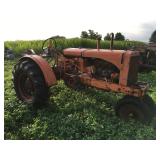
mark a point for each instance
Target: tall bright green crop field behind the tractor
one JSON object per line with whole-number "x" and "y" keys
{"x": 20, "y": 46}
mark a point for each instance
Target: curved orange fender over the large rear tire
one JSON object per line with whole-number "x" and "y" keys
{"x": 47, "y": 71}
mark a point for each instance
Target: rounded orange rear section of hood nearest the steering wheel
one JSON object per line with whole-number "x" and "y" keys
{"x": 73, "y": 52}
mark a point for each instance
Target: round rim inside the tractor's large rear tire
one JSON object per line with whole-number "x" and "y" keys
{"x": 25, "y": 87}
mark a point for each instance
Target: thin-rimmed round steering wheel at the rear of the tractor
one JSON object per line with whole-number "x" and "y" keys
{"x": 49, "y": 46}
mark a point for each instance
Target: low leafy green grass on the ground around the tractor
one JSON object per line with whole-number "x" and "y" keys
{"x": 71, "y": 114}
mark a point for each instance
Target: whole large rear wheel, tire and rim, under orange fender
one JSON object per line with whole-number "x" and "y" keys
{"x": 29, "y": 83}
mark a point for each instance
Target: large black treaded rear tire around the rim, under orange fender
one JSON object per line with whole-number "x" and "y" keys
{"x": 32, "y": 70}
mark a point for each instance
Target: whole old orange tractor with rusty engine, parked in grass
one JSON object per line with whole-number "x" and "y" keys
{"x": 104, "y": 69}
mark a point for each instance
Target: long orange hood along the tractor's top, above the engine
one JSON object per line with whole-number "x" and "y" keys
{"x": 117, "y": 57}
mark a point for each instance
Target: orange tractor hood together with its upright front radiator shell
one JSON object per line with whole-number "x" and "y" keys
{"x": 125, "y": 61}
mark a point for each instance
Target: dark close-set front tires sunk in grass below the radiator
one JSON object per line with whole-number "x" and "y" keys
{"x": 135, "y": 105}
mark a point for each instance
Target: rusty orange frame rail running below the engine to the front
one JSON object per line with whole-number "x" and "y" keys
{"x": 137, "y": 90}
